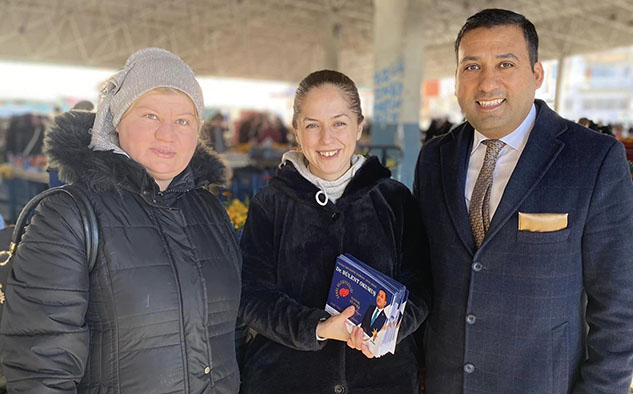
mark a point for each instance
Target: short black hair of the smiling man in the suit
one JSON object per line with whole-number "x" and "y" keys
{"x": 493, "y": 17}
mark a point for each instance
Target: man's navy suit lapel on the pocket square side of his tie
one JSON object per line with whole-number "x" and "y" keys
{"x": 539, "y": 153}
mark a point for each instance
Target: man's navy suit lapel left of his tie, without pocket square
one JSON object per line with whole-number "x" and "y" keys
{"x": 455, "y": 154}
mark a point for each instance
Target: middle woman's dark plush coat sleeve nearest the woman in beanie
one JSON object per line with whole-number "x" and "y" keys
{"x": 265, "y": 307}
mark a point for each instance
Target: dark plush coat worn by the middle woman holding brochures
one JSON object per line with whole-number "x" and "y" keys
{"x": 289, "y": 246}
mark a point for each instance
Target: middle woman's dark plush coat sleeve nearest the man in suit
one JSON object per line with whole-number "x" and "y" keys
{"x": 414, "y": 269}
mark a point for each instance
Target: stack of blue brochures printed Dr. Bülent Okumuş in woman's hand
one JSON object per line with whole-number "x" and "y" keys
{"x": 379, "y": 301}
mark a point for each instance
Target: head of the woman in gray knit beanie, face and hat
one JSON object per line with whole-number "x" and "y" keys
{"x": 160, "y": 78}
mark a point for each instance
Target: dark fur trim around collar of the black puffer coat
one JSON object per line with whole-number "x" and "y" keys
{"x": 66, "y": 146}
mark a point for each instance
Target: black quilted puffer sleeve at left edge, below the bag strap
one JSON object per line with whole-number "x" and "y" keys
{"x": 44, "y": 336}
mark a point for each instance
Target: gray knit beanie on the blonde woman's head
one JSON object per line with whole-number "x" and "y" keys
{"x": 145, "y": 70}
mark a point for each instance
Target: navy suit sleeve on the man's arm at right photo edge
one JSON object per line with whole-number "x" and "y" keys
{"x": 607, "y": 254}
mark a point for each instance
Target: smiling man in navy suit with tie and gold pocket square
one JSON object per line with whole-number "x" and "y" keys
{"x": 529, "y": 223}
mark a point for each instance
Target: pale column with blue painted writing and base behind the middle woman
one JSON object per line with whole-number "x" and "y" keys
{"x": 398, "y": 68}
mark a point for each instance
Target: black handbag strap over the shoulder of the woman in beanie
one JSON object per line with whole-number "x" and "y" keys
{"x": 88, "y": 220}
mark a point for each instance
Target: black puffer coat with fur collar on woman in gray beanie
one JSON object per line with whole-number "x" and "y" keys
{"x": 157, "y": 313}
